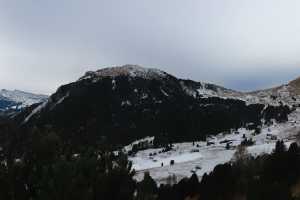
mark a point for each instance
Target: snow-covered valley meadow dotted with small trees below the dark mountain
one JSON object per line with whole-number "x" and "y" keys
{"x": 201, "y": 158}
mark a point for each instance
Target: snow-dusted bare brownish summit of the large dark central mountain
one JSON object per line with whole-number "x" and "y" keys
{"x": 126, "y": 70}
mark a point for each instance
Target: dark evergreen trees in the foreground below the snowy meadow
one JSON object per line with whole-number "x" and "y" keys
{"x": 39, "y": 165}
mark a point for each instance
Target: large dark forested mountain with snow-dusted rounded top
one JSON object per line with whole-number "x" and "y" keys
{"x": 121, "y": 104}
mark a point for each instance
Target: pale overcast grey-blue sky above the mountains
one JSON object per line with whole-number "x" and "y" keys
{"x": 241, "y": 44}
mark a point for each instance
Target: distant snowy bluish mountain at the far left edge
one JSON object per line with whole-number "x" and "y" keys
{"x": 12, "y": 101}
